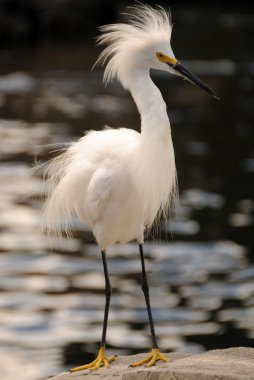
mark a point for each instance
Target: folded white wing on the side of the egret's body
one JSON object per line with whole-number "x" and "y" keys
{"x": 99, "y": 190}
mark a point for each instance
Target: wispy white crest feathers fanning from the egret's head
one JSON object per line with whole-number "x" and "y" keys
{"x": 144, "y": 24}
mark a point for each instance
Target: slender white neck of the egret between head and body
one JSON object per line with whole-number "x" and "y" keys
{"x": 152, "y": 108}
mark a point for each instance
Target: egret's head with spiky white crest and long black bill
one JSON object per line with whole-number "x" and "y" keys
{"x": 141, "y": 44}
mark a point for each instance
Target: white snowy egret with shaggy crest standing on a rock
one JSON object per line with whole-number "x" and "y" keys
{"x": 118, "y": 180}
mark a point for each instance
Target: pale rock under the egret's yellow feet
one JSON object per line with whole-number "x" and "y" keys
{"x": 228, "y": 364}
